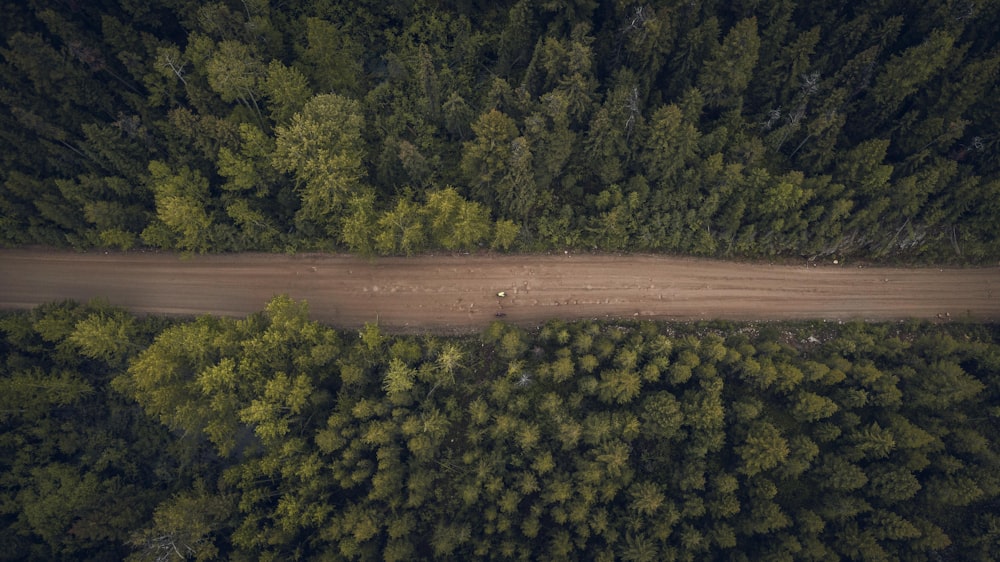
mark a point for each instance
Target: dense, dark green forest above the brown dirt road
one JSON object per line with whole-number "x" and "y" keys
{"x": 711, "y": 128}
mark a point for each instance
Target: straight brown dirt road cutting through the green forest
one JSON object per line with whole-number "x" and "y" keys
{"x": 452, "y": 294}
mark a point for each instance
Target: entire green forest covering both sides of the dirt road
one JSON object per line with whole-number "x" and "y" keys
{"x": 742, "y": 129}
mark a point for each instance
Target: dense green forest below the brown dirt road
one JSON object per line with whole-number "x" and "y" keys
{"x": 273, "y": 437}
